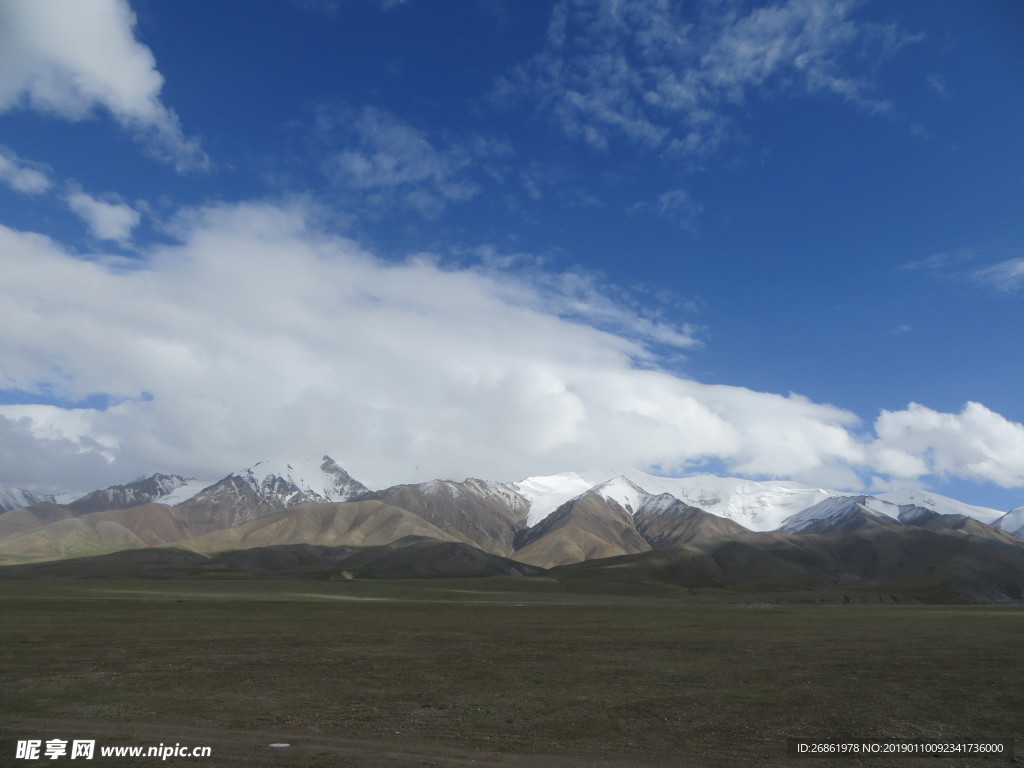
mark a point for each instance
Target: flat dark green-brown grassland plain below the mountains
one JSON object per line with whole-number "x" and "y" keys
{"x": 499, "y": 672}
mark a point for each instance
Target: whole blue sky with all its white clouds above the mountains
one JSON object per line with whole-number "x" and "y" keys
{"x": 500, "y": 239}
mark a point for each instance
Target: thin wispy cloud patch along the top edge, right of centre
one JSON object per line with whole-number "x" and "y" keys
{"x": 664, "y": 76}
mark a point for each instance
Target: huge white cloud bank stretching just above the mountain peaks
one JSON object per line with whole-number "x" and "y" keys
{"x": 258, "y": 335}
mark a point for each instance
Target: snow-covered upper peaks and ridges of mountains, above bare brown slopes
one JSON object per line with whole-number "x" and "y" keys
{"x": 757, "y": 505}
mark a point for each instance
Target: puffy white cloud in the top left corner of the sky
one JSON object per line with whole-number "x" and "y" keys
{"x": 67, "y": 58}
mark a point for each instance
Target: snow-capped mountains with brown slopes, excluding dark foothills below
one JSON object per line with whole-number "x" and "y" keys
{"x": 546, "y": 521}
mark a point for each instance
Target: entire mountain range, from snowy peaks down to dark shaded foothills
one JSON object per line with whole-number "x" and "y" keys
{"x": 694, "y": 532}
